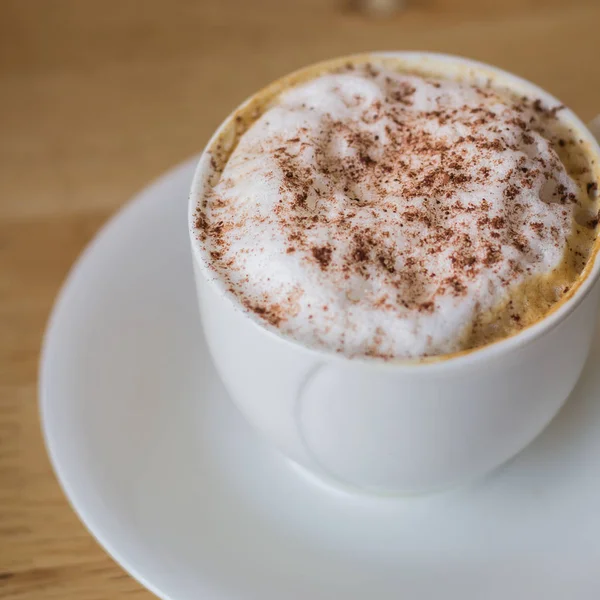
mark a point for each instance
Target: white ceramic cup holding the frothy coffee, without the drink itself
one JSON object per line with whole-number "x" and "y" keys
{"x": 402, "y": 426}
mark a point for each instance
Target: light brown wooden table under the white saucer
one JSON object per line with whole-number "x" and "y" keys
{"x": 97, "y": 97}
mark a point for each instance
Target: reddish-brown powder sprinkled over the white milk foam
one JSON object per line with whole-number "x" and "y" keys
{"x": 309, "y": 195}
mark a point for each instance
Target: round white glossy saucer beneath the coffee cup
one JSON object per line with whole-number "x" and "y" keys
{"x": 172, "y": 482}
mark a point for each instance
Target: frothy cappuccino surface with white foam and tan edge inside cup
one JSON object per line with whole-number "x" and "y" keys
{"x": 376, "y": 212}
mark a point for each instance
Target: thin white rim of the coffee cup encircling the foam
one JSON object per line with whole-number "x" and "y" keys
{"x": 556, "y": 315}
